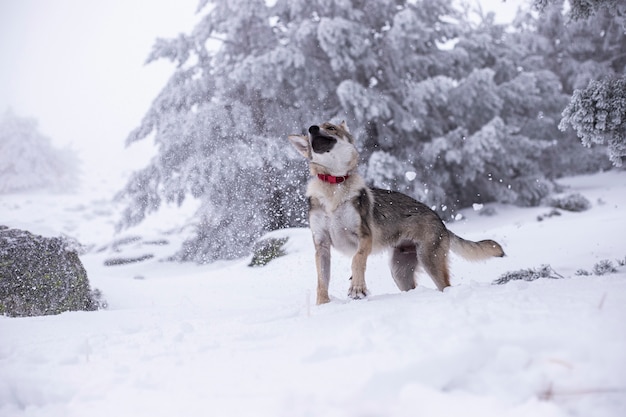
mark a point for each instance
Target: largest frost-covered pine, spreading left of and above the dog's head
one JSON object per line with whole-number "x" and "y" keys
{"x": 221, "y": 121}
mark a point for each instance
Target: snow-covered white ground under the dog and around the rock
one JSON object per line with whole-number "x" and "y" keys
{"x": 229, "y": 340}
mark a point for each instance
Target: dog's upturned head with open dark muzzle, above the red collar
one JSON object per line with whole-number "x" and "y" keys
{"x": 329, "y": 148}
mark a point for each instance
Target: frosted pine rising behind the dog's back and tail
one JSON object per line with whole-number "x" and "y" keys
{"x": 487, "y": 136}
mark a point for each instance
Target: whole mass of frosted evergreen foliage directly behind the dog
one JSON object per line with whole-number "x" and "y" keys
{"x": 448, "y": 111}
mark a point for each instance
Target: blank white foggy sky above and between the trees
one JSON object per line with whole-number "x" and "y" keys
{"x": 77, "y": 66}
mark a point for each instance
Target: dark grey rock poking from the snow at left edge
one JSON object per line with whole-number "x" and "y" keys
{"x": 42, "y": 276}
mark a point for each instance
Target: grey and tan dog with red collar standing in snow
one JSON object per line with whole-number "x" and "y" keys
{"x": 357, "y": 220}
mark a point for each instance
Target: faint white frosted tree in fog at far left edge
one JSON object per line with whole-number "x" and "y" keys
{"x": 29, "y": 161}
